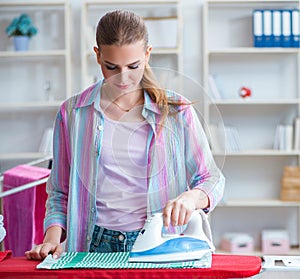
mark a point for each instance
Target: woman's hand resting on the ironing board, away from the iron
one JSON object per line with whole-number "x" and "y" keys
{"x": 41, "y": 251}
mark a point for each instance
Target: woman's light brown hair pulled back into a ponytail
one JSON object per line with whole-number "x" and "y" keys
{"x": 123, "y": 28}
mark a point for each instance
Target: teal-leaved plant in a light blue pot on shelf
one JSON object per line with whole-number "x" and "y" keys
{"x": 22, "y": 30}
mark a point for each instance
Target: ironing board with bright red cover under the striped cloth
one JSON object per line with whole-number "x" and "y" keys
{"x": 223, "y": 266}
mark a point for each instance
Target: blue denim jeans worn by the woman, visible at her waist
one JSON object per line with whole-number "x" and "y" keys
{"x": 106, "y": 241}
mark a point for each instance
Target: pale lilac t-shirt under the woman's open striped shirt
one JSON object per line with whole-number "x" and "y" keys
{"x": 122, "y": 178}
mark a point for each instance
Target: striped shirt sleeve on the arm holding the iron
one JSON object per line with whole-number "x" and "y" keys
{"x": 202, "y": 171}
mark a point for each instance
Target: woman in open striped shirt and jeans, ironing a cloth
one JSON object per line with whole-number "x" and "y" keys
{"x": 124, "y": 149}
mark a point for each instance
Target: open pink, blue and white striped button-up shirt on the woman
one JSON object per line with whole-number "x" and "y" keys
{"x": 179, "y": 158}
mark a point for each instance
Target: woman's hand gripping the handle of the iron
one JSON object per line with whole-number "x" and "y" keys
{"x": 179, "y": 210}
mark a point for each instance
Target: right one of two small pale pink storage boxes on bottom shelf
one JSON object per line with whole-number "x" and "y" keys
{"x": 275, "y": 242}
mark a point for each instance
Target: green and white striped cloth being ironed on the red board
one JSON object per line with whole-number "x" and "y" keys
{"x": 117, "y": 260}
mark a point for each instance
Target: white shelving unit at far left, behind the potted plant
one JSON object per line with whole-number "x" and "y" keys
{"x": 27, "y": 109}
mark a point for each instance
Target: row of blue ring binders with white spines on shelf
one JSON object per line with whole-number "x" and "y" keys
{"x": 276, "y": 28}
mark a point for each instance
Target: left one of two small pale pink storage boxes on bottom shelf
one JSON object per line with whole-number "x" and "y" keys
{"x": 239, "y": 243}
